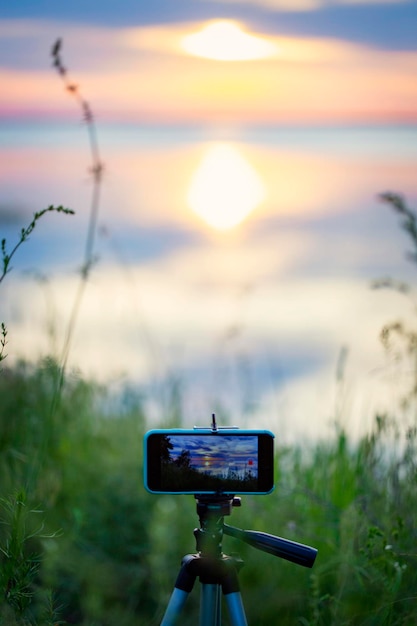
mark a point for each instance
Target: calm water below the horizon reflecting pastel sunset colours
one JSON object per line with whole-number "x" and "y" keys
{"x": 252, "y": 320}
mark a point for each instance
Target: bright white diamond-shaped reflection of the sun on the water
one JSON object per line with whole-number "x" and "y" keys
{"x": 225, "y": 188}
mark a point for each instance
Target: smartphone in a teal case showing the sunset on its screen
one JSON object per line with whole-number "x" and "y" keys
{"x": 205, "y": 461}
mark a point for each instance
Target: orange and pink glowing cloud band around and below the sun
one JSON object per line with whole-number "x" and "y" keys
{"x": 149, "y": 78}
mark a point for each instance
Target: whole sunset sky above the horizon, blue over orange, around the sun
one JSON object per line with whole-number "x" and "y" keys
{"x": 327, "y": 61}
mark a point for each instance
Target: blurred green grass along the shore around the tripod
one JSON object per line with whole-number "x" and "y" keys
{"x": 82, "y": 542}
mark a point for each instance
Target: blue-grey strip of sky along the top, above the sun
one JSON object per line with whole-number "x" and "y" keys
{"x": 391, "y": 25}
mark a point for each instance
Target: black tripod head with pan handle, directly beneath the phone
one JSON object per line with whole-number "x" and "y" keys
{"x": 211, "y": 511}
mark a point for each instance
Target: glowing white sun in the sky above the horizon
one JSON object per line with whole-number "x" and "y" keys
{"x": 224, "y": 40}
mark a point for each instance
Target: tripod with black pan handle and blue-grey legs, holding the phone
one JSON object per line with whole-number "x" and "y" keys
{"x": 218, "y": 572}
